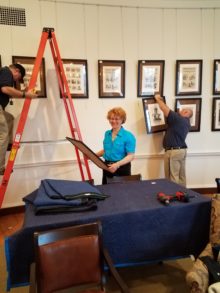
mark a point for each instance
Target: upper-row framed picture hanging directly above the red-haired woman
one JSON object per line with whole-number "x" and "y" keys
{"x": 111, "y": 79}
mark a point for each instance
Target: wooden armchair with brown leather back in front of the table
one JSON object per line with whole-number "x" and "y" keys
{"x": 71, "y": 256}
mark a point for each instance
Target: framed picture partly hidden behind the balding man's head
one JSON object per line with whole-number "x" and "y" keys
{"x": 195, "y": 105}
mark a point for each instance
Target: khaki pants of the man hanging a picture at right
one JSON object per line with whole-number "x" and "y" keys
{"x": 174, "y": 166}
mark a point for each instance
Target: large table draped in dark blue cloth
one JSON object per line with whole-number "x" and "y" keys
{"x": 137, "y": 228}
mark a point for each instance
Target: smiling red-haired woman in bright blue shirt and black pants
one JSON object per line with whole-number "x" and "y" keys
{"x": 118, "y": 146}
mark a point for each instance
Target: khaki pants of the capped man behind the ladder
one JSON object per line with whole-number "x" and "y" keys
{"x": 6, "y": 128}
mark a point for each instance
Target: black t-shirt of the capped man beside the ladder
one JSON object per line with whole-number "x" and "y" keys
{"x": 6, "y": 79}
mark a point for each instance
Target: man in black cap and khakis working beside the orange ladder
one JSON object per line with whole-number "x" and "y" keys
{"x": 9, "y": 75}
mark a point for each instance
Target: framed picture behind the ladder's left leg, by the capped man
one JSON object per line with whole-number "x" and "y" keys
{"x": 28, "y": 64}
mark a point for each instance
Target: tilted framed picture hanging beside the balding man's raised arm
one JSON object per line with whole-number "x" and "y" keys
{"x": 154, "y": 117}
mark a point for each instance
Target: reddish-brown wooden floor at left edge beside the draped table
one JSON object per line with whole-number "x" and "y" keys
{"x": 9, "y": 224}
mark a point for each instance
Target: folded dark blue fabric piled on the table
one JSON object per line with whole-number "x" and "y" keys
{"x": 64, "y": 192}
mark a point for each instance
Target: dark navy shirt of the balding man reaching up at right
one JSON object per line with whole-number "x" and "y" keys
{"x": 177, "y": 130}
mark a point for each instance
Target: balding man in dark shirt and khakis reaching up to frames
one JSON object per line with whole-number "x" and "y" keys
{"x": 178, "y": 126}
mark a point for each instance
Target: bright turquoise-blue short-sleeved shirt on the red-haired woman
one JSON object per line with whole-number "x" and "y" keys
{"x": 117, "y": 149}
